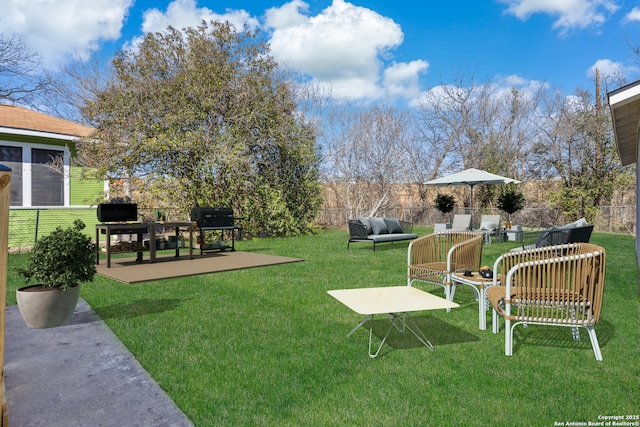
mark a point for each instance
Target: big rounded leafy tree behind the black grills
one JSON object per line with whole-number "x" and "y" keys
{"x": 205, "y": 117}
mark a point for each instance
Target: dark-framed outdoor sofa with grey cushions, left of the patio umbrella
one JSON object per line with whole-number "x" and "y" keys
{"x": 379, "y": 230}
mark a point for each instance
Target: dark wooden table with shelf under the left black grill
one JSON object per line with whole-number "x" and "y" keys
{"x": 139, "y": 229}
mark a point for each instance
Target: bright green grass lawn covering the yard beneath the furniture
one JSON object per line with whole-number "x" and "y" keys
{"x": 267, "y": 346}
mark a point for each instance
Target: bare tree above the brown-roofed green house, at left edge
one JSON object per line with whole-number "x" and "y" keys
{"x": 22, "y": 77}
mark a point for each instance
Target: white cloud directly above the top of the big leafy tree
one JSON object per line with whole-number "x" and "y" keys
{"x": 184, "y": 13}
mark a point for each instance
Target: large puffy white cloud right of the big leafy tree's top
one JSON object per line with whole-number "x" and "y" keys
{"x": 343, "y": 47}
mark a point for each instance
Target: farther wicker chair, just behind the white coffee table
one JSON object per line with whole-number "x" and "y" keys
{"x": 432, "y": 258}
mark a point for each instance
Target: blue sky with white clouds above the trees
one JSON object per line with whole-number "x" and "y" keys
{"x": 370, "y": 50}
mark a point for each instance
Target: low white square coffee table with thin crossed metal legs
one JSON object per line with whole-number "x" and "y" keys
{"x": 393, "y": 301}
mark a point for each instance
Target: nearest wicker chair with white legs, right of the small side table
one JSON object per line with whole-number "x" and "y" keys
{"x": 559, "y": 285}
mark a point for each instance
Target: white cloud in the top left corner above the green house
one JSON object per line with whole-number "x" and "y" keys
{"x": 61, "y": 29}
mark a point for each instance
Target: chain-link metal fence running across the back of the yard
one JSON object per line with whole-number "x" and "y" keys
{"x": 27, "y": 224}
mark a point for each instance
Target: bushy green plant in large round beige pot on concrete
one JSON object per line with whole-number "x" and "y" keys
{"x": 59, "y": 262}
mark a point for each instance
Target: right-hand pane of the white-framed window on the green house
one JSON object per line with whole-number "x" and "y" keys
{"x": 47, "y": 184}
